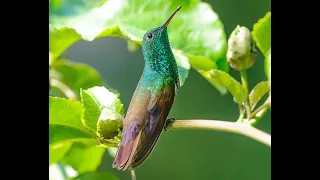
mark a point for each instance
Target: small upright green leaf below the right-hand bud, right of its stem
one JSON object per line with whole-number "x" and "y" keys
{"x": 258, "y": 92}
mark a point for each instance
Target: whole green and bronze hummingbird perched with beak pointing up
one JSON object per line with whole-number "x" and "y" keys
{"x": 151, "y": 101}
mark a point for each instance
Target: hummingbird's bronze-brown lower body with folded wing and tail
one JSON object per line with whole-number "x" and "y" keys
{"x": 144, "y": 123}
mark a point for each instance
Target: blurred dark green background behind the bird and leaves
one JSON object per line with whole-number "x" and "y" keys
{"x": 189, "y": 154}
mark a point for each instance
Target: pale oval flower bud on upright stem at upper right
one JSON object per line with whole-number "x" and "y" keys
{"x": 241, "y": 54}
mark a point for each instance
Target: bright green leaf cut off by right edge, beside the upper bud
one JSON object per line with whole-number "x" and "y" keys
{"x": 262, "y": 33}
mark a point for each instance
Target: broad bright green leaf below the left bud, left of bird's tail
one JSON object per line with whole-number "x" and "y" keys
{"x": 83, "y": 158}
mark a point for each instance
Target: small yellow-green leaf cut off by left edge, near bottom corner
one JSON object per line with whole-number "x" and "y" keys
{"x": 57, "y": 151}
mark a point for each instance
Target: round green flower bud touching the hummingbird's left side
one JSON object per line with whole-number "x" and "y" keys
{"x": 109, "y": 127}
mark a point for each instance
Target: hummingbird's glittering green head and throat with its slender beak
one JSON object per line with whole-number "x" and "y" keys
{"x": 156, "y": 48}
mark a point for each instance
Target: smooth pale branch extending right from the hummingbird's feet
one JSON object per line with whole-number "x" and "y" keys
{"x": 232, "y": 127}
